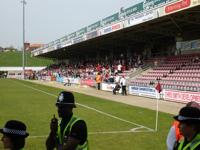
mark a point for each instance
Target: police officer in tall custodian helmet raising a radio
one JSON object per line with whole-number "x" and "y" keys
{"x": 71, "y": 132}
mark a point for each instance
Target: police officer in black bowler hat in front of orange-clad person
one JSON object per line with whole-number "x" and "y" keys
{"x": 189, "y": 118}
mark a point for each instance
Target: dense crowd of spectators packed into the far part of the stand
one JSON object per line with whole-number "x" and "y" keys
{"x": 85, "y": 69}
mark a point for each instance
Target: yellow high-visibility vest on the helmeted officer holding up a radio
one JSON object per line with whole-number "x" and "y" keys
{"x": 67, "y": 131}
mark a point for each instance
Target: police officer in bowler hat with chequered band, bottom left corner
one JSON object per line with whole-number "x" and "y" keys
{"x": 14, "y": 134}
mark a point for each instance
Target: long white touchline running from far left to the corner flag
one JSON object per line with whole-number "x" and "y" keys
{"x": 101, "y": 112}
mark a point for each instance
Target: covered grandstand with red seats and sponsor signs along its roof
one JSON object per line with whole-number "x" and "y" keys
{"x": 152, "y": 41}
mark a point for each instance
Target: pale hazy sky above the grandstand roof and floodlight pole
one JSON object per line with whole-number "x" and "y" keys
{"x": 48, "y": 20}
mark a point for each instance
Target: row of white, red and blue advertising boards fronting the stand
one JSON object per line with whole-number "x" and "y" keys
{"x": 168, "y": 95}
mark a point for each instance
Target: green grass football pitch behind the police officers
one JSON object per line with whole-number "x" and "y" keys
{"x": 19, "y": 101}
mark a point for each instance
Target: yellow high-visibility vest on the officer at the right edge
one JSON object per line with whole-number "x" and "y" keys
{"x": 191, "y": 145}
